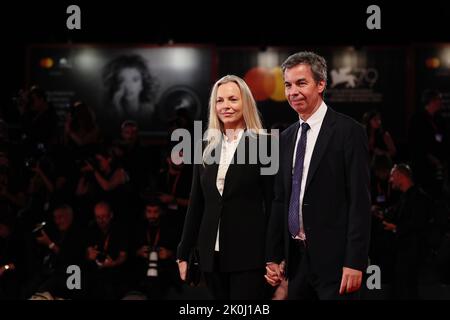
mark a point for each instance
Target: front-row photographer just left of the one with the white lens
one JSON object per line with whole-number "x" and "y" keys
{"x": 106, "y": 253}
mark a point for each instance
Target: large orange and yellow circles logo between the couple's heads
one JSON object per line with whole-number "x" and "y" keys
{"x": 266, "y": 83}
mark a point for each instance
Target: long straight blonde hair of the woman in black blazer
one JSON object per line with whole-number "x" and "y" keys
{"x": 251, "y": 114}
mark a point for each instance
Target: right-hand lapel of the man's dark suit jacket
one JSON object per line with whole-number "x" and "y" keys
{"x": 326, "y": 132}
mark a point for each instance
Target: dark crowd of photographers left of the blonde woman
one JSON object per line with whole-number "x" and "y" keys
{"x": 70, "y": 196}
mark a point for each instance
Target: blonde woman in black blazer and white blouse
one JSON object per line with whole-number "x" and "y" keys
{"x": 230, "y": 200}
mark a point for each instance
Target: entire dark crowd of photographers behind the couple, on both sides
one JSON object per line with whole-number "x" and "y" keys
{"x": 115, "y": 206}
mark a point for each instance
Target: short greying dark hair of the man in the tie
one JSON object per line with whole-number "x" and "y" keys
{"x": 317, "y": 63}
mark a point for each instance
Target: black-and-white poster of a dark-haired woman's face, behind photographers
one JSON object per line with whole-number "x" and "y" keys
{"x": 145, "y": 84}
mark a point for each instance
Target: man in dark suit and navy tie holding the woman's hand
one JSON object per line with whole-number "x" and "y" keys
{"x": 320, "y": 222}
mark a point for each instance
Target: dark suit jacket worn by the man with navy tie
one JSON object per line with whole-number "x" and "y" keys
{"x": 336, "y": 202}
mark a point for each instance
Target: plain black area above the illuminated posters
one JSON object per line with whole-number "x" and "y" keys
{"x": 218, "y": 23}
